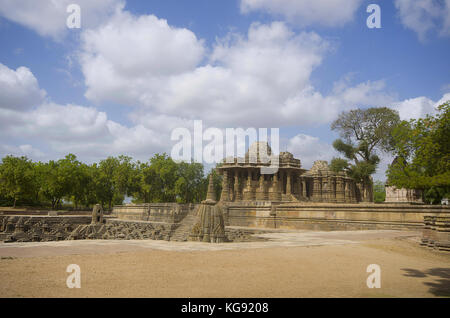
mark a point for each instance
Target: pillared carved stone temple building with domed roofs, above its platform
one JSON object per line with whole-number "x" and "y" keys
{"x": 243, "y": 180}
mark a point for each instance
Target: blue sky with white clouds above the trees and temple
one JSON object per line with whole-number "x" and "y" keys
{"x": 136, "y": 70}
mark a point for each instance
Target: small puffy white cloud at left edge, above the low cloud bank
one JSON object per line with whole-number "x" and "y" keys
{"x": 19, "y": 89}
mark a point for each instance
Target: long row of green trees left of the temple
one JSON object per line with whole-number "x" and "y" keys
{"x": 24, "y": 182}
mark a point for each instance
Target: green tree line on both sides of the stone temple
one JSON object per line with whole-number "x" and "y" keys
{"x": 421, "y": 148}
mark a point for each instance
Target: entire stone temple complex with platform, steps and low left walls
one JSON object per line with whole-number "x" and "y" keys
{"x": 251, "y": 202}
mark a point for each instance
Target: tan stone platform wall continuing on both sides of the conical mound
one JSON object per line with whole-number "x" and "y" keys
{"x": 304, "y": 215}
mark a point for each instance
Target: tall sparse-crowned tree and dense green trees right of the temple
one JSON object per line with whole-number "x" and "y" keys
{"x": 421, "y": 149}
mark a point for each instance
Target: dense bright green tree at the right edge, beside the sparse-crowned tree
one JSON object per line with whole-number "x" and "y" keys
{"x": 422, "y": 149}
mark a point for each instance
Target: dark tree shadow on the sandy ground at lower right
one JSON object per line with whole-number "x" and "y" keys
{"x": 441, "y": 284}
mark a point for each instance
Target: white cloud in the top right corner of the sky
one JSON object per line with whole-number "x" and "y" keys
{"x": 423, "y": 16}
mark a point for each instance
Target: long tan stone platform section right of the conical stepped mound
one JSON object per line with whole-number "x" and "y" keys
{"x": 329, "y": 217}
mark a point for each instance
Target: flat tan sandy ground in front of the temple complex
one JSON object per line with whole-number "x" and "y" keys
{"x": 289, "y": 264}
